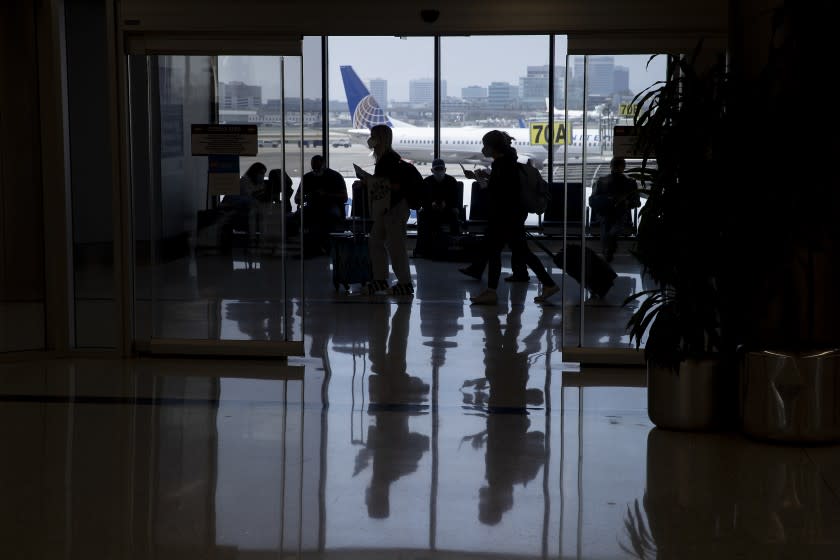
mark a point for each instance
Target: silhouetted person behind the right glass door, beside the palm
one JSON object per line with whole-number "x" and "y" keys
{"x": 613, "y": 197}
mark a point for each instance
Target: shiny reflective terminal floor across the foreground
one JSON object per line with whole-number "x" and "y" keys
{"x": 418, "y": 429}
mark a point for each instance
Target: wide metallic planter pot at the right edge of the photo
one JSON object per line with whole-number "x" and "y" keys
{"x": 791, "y": 397}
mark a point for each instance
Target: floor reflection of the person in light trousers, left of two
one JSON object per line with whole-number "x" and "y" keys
{"x": 391, "y": 446}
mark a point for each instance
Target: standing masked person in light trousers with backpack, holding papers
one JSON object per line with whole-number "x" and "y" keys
{"x": 392, "y": 189}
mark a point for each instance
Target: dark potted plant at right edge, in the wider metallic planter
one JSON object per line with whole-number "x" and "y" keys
{"x": 785, "y": 242}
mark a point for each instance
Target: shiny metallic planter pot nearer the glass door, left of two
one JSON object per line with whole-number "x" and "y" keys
{"x": 699, "y": 395}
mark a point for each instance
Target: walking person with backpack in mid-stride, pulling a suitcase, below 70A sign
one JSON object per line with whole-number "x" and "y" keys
{"x": 506, "y": 219}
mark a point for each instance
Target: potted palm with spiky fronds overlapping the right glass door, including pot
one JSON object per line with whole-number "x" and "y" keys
{"x": 683, "y": 128}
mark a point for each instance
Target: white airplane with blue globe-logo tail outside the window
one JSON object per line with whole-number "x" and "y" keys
{"x": 457, "y": 144}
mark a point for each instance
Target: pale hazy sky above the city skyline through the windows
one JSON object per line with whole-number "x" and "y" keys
{"x": 465, "y": 61}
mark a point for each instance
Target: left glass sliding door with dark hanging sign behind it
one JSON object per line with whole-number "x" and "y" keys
{"x": 217, "y": 249}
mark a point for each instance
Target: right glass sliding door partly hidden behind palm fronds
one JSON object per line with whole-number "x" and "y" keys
{"x": 600, "y": 90}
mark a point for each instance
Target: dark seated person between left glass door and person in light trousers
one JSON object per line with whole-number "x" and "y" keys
{"x": 322, "y": 193}
